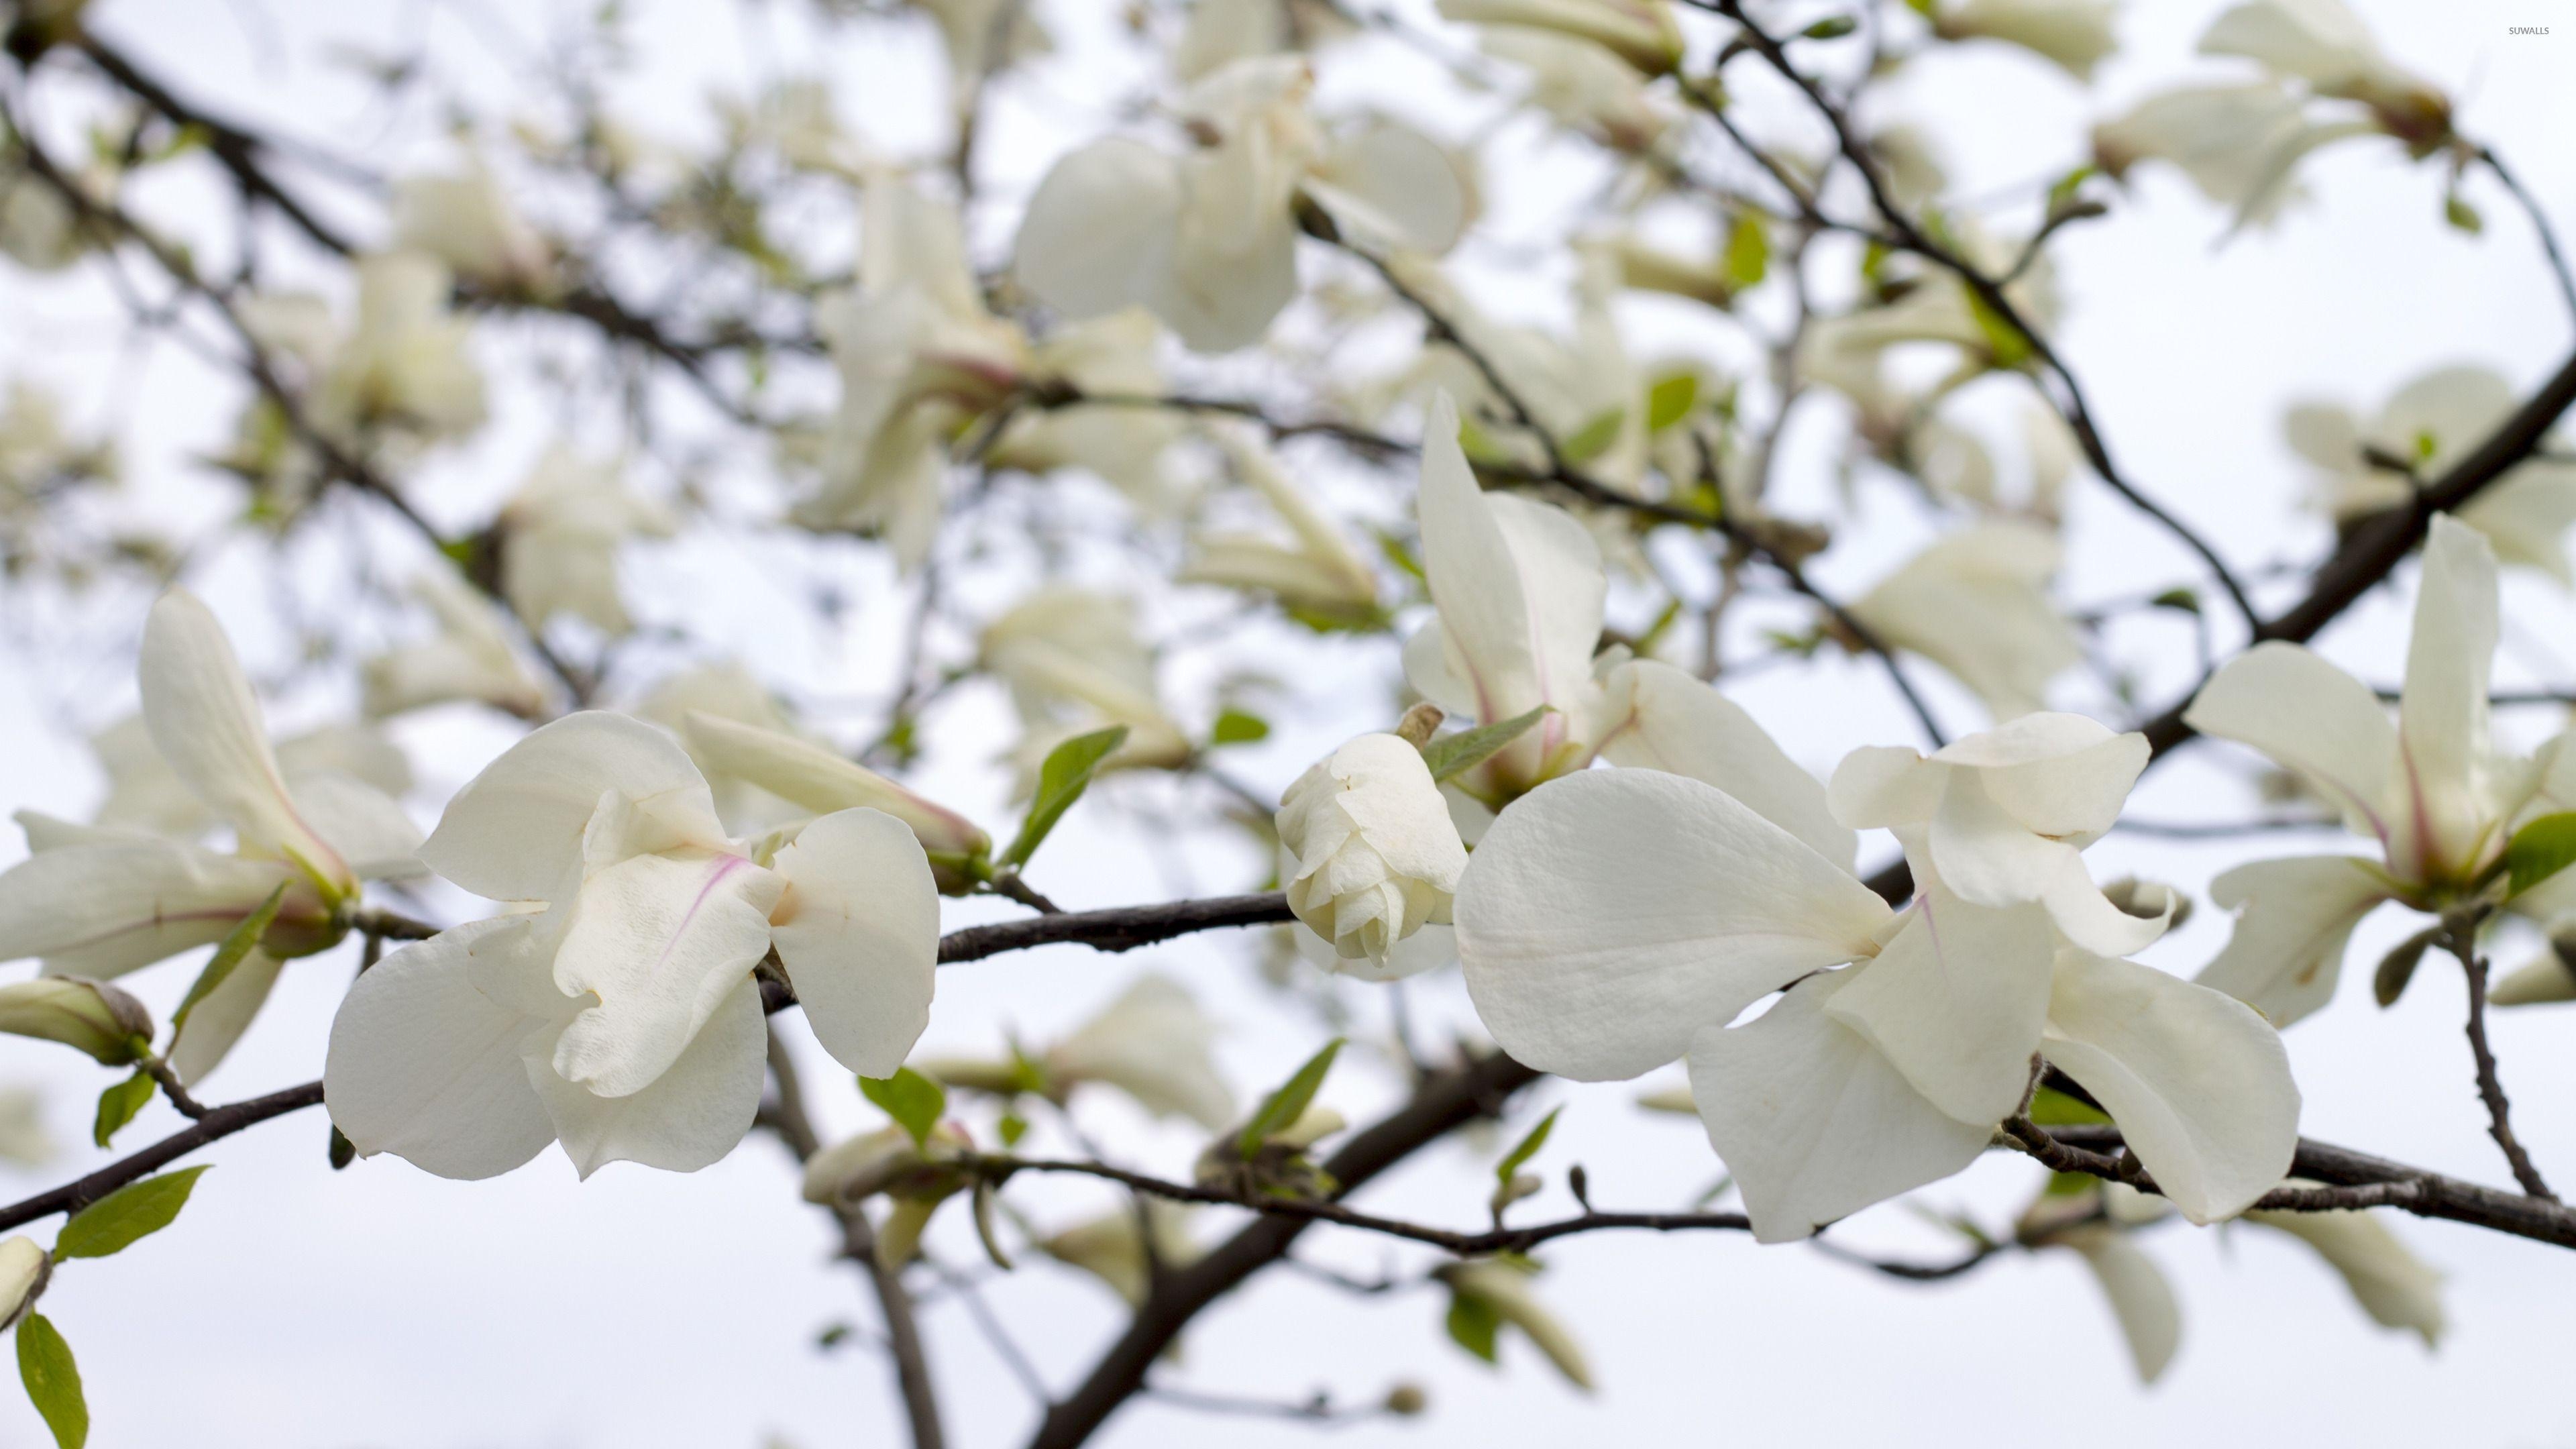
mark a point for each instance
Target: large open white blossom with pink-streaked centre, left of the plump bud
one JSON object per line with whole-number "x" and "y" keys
{"x": 617, "y": 1012}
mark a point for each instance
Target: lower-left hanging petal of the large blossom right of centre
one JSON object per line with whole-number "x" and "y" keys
{"x": 1812, "y": 1120}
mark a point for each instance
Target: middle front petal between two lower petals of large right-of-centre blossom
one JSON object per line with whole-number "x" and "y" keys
{"x": 1956, "y": 1004}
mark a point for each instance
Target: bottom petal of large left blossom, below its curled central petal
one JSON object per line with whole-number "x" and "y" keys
{"x": 684, "y": 1120}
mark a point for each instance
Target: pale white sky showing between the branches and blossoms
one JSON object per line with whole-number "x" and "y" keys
{"x": 388, "y": 1308}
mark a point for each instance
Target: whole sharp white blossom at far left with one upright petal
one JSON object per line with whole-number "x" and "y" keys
{"x": 99, "y": 901}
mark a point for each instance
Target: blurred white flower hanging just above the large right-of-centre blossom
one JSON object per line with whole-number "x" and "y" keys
{"x": 1977, "y": 605}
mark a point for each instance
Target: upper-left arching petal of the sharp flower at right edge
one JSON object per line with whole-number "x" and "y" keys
{"x": 2312, "y": 718}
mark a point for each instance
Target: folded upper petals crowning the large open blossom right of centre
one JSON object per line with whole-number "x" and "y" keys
{"x": 2005, "y": 819}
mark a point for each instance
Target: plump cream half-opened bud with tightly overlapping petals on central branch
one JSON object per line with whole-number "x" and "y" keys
{"x": 1377, "y": 852}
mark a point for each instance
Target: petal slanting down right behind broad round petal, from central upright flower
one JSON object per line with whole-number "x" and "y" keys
{"x": 1678, "y": 723}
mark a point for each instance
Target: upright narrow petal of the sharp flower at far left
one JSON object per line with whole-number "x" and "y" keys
{"x": 207, "y": 726}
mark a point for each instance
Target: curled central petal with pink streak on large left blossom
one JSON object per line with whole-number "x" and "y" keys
{"x": 661, "y": 942}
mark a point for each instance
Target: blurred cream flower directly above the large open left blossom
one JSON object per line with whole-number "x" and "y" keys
{"x": 560, "y": 540}
